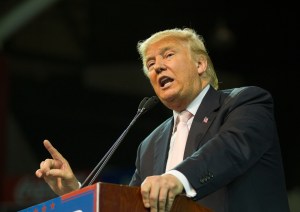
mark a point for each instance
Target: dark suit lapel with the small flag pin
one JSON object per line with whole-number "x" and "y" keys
{"x": 204, "y": 117}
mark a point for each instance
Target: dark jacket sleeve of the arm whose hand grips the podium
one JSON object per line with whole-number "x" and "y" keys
{"x": 240, "y": 136}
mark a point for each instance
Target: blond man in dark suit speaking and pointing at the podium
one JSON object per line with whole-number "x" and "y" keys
{"x": 232, "y": 160}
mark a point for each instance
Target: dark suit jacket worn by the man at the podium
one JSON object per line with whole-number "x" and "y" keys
{"x": 232, "y": 157}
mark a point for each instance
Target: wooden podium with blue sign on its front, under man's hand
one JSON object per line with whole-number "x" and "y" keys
{"x": 108, "y": 197}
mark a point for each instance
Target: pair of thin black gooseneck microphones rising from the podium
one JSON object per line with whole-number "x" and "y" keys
{"x": 145, "y": 105}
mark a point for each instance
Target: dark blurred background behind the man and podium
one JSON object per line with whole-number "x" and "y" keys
{"x": 70, "y": 73}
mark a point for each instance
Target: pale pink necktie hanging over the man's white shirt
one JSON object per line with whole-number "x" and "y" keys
{"x": 177, "y": 149}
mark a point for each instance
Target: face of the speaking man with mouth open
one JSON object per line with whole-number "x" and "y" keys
{"x": 173, "y": 73}
